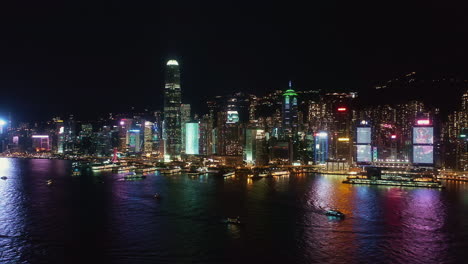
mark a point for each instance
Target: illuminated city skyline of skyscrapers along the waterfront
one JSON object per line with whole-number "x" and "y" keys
{"x": 285, "y": 126}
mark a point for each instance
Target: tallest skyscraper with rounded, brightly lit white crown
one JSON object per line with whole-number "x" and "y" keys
{"x": 172, "y": 133}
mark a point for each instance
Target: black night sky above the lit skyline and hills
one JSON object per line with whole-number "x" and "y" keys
{"x": 88, "y": 57}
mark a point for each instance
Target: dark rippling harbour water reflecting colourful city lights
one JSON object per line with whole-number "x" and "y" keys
{"x": 100, "y": 218}
